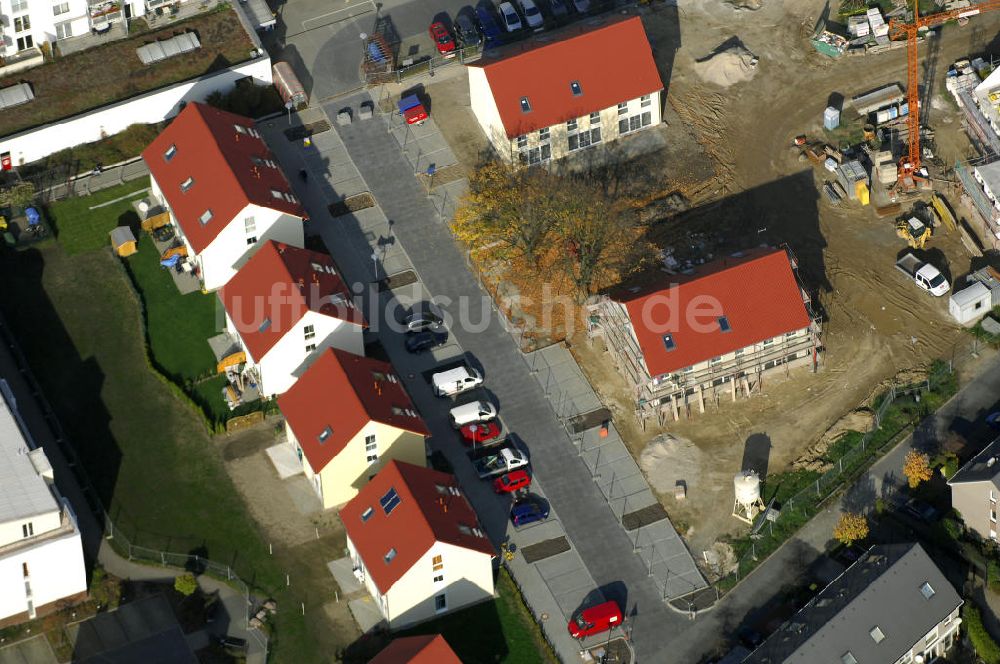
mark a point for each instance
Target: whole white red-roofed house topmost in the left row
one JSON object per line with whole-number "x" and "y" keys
{"x": 224, "y": 190}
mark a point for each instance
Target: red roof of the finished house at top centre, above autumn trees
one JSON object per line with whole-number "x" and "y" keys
{"x": 612, "y": 64}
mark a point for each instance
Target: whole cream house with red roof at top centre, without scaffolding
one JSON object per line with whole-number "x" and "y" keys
{"x": 545, "y": 101}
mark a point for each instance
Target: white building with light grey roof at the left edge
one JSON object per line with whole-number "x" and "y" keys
{"x": 41, "y": 554}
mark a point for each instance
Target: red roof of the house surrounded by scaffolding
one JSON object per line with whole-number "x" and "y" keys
{"x": 757, "y": 293}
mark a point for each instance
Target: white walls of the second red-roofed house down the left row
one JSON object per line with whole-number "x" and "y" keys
{"x": 294, "y": 352}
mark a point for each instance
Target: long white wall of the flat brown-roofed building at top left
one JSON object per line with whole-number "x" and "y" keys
{"x": 151, "y": 107}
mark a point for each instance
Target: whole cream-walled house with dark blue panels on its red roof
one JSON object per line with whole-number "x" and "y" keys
{"x": 417, "y": 545}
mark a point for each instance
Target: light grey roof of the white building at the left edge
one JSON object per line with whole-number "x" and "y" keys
{"x": 23, "y": 492}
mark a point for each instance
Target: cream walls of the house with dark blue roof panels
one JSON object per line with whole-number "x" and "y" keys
{"x": 445, "y": 579}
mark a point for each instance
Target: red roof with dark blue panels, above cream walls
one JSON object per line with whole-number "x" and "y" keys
{"x": 424, "y": 515}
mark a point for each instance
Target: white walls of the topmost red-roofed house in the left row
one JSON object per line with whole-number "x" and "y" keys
{"x": 237, "y": 242}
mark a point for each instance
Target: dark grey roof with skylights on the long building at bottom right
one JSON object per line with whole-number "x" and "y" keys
{"x": 882, "y": 589}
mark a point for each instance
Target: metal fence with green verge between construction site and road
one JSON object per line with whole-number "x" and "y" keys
{"x": 797, "y": 510}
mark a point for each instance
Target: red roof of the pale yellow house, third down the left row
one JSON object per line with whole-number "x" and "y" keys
{"x": 345, "y": 392}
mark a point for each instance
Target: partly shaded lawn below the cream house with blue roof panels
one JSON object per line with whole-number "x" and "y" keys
{"x": 499, "y": 631}
